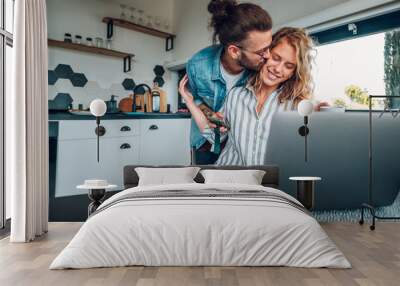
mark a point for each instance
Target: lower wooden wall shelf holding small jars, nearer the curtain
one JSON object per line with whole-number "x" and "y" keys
{"x": 94, "y": 50}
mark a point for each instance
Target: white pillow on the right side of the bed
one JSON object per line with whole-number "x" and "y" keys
{"x": 249, "y": 177}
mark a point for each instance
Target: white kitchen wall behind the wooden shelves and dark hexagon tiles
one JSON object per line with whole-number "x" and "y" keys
{"x": 105, "y": 74}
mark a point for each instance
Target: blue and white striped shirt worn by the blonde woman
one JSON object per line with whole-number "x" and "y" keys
{"x": 249, "y": 130}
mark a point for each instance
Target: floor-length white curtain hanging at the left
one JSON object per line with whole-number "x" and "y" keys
{"x": 27, "y": 123}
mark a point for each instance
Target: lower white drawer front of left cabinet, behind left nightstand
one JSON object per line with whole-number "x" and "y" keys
{"x": 77, "y": 161}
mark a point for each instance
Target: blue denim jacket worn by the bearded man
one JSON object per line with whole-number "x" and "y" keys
{"x": 207, "y": 84}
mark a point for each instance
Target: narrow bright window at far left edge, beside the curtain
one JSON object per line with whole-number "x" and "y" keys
{"x": 6, "y": 43}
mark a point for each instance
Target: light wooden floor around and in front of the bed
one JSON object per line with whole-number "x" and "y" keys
{"x": 375, "y": 257}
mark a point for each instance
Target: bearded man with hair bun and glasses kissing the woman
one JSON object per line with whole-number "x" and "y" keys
{"x": 241, "y": 36}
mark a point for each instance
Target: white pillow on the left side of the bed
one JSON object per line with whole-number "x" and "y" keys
{"x": 163, "y": 176}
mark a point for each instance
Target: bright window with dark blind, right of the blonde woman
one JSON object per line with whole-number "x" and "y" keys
{"x": 359, "y": 59}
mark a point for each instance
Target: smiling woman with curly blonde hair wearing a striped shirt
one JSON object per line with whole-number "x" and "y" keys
{"x": 282, "y": 82}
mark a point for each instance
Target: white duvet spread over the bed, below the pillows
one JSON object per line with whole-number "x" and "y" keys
{"x": 206, "y": 231}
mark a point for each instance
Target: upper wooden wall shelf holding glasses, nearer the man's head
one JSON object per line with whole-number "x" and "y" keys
{"x": 139, "y": 28}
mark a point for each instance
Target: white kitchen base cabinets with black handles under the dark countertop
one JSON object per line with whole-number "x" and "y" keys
{"x": 126, "y": 142}
